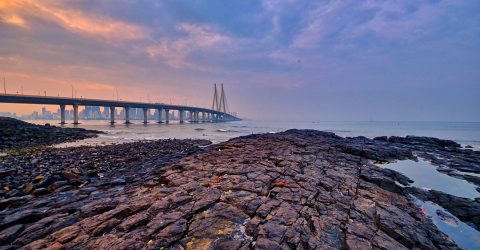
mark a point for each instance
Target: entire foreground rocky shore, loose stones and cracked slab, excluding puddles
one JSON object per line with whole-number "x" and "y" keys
{"x": 299, "y": 189}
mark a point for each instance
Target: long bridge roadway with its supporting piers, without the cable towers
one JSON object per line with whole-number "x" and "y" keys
{"x": 207, "y": 114}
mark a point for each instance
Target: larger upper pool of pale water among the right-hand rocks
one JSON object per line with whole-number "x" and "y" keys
{"x": 426, "y": 176}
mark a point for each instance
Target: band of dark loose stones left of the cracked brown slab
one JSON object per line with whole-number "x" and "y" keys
{"x": 39, "y": 172}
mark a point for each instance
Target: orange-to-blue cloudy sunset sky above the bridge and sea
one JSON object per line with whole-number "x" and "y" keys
{"x": 327, "y": 60}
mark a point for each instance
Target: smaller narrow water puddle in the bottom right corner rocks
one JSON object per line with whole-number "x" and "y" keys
{"x": 465, "y": 236}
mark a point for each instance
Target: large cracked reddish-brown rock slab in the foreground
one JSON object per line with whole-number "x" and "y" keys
{"x": 299, "y": 189}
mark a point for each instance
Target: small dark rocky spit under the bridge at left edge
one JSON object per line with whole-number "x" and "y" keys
{"x": 19, "y": 134}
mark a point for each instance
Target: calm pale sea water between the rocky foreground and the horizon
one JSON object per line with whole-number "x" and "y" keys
{"x": 465, "y": 133}
